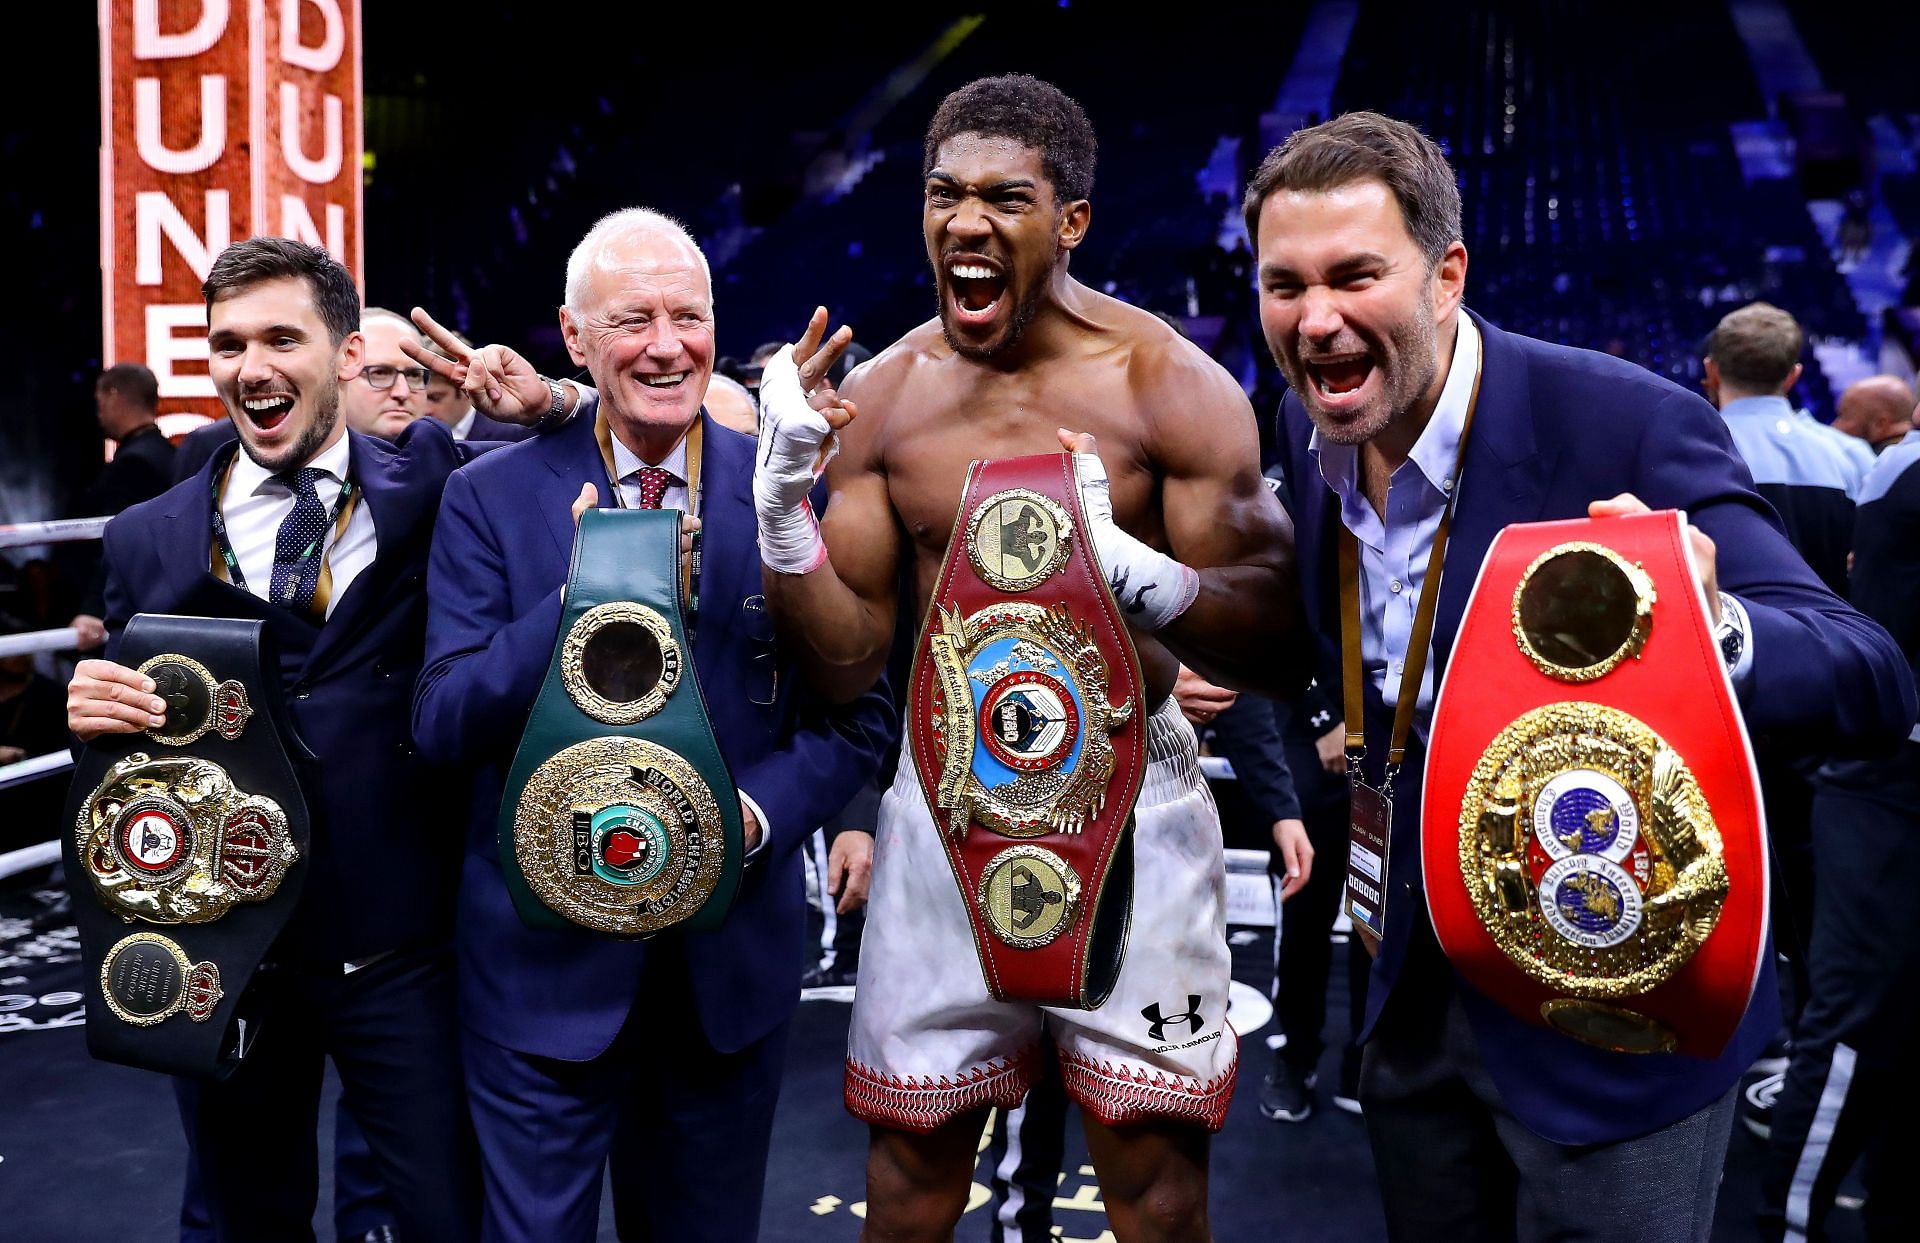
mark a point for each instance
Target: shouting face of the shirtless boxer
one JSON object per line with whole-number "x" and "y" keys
{"x": 996, "y": 237}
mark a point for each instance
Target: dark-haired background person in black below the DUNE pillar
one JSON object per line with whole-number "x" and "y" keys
{"x": 128, "y": 406}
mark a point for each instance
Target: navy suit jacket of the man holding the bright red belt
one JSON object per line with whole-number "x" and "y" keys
{"x": 1554, "y": 431}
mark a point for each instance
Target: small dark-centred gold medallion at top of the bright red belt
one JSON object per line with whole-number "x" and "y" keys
{"x": 1581, "y": 610}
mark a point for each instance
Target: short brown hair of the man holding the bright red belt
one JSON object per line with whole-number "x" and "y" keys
{"x": 1366, "y": 147}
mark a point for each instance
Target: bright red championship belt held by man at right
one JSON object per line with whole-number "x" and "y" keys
{"x": 1593, "y": 831}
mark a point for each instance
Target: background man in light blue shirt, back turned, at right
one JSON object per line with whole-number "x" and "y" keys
{"x": 1752, "y": 366}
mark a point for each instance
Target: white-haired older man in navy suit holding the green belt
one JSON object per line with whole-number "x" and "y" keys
{"x": 571, "y": 1036}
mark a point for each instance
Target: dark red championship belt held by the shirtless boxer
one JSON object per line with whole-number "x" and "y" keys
{"x": 1026, "y": 731}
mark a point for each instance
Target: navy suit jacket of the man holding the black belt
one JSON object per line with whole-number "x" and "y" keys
{"x": 381, "y": 871}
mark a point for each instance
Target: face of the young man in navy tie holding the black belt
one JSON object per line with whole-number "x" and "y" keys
{"x": 277, "y": 372}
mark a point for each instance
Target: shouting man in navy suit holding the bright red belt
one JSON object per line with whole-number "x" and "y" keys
{"x": 1485, "y": 1127}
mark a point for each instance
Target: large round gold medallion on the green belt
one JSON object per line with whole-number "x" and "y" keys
{"x": 619, "y": 835}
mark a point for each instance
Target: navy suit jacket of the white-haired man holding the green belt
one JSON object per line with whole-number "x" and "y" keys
{"x": 500, "y": 560}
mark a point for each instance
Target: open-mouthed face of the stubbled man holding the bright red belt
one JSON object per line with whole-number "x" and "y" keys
{"x": 1351, "y": 308}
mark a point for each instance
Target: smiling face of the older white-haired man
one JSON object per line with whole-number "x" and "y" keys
{"x": 646, "y": 331}
